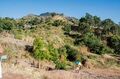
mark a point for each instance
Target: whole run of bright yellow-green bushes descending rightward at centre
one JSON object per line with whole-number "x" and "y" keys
{"x": 43, "y": 51}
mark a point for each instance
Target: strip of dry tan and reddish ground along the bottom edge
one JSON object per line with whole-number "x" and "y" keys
{"x": 24, "y": 71}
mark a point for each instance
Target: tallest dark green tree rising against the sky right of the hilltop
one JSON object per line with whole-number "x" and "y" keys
{"x": 87, "y": 23}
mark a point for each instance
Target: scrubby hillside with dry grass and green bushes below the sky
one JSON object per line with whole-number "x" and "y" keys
{"x": 53, "y": 41}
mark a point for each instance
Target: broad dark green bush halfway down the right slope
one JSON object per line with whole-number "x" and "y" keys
{"x": 94, "y": 43}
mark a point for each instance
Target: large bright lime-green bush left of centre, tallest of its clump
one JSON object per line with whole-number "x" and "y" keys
{"x": 44, "y": 51}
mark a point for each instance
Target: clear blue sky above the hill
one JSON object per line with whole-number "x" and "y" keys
{"x": 75, "y": 8}
